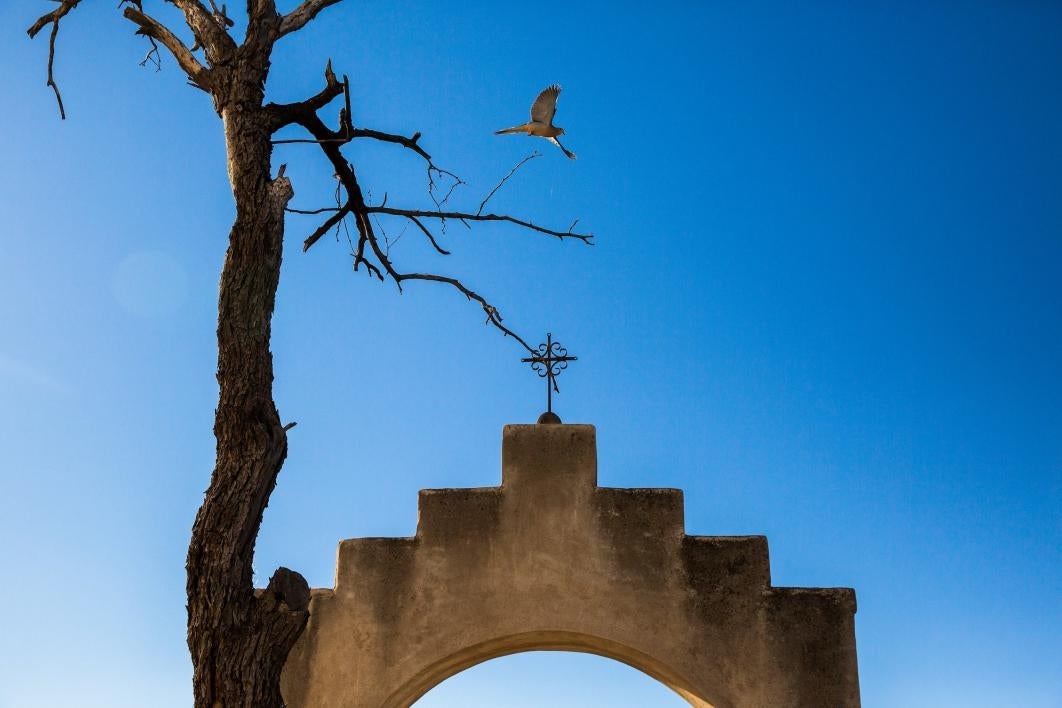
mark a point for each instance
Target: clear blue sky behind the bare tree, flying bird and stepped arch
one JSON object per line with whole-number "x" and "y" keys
{"x": 826, "y": 301}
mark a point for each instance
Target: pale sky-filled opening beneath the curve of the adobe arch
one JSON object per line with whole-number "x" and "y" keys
{"x": 559, "y": 680}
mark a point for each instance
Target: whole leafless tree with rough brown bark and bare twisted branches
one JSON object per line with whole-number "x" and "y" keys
{"x": 241, "y": 640}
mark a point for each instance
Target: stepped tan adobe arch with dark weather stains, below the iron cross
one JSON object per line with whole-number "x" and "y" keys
{"x": 550, "y": 561}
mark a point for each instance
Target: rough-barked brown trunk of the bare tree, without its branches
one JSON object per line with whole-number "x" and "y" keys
{"x": 238, "y": 641}
